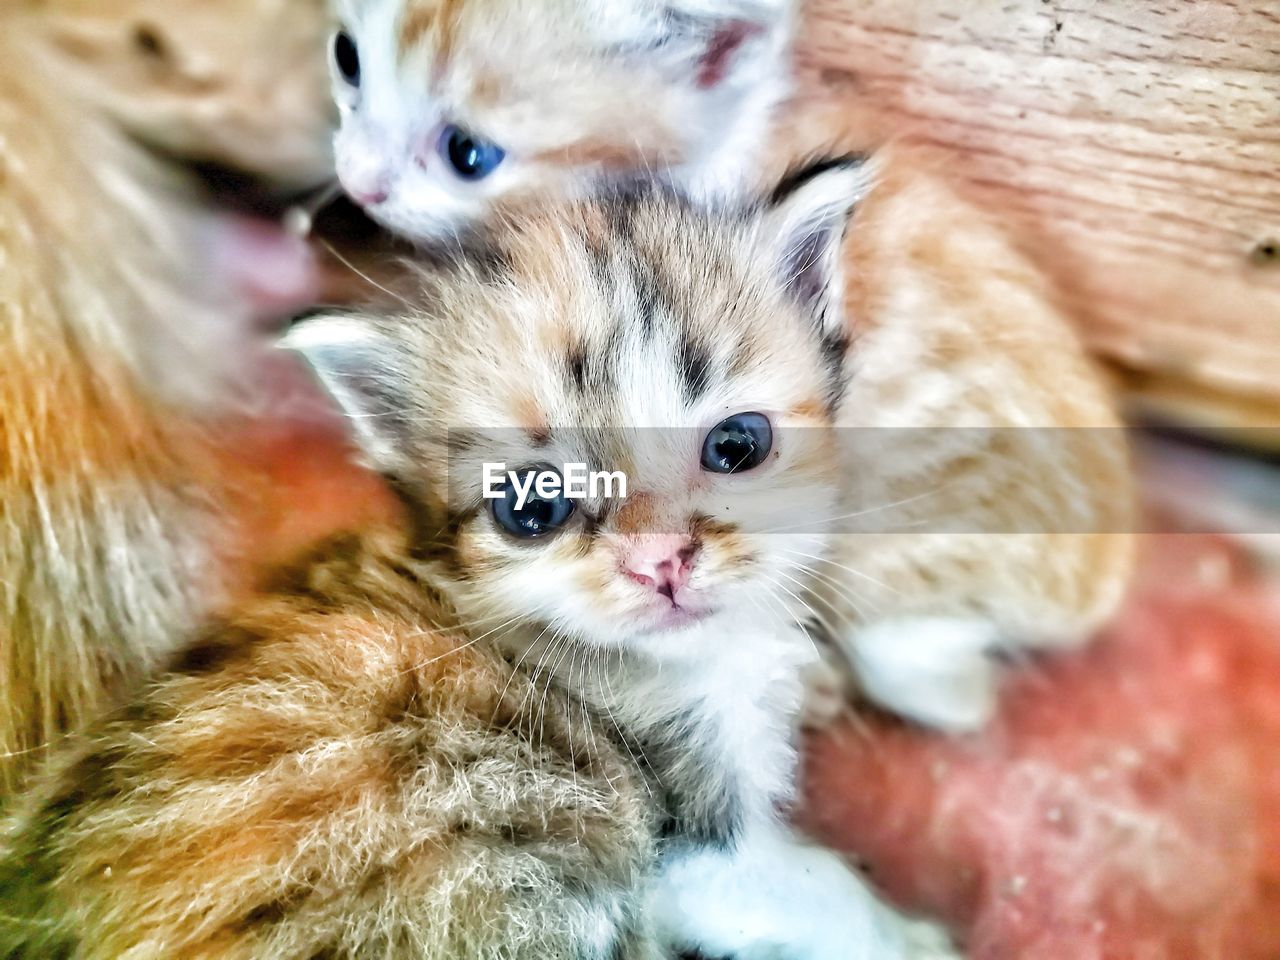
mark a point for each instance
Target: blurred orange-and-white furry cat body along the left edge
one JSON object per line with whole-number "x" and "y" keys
{"x": 127, "y": 324}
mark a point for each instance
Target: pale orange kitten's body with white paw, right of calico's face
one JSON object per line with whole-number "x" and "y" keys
{"x": 1000, "y": 513}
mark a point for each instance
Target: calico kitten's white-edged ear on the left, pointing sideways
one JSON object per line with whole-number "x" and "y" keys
{"x": 364, "y": 372}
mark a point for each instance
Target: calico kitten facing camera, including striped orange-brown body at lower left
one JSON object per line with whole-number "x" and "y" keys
{"x": 318, "y": 776}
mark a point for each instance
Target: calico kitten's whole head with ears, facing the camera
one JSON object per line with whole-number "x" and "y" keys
{"x": 698, "y": 354}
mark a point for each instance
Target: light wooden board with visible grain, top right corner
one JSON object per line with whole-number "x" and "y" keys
{"x": 1133, "y": 147}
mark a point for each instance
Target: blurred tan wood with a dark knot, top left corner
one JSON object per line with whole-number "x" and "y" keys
{"x": 230, "y": 83}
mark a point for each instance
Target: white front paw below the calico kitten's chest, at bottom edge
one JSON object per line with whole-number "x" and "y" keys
{"x": 778, "y": 898}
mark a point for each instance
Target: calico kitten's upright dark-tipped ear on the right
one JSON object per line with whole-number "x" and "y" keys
{"x": 806, "y": 223}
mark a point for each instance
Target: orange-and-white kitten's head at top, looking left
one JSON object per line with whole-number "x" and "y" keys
{"x": 449, "y": 106}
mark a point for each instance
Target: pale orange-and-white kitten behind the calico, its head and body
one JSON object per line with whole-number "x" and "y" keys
{"x": 586, "y": 94}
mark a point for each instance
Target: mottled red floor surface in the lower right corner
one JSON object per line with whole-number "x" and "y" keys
{"x": 1126, "y": 804}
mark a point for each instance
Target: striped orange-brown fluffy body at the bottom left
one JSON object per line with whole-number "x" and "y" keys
{"x": 339, "y": 771}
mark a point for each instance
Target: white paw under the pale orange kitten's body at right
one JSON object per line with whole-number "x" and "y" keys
{"x": 936, "y": 671}
